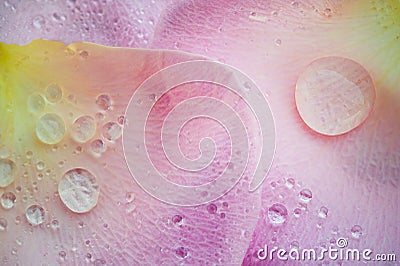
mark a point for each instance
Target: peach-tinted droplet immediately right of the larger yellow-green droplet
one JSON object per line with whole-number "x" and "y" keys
{"x": 83, "y": 128}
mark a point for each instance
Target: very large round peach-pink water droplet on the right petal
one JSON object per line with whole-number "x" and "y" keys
{"x": 334, "y": 95}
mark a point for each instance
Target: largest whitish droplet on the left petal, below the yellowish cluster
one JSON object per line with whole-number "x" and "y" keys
{"x": 78, "y": 190}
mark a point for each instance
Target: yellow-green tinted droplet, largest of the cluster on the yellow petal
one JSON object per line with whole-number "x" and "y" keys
{"x": 50, "y": 128}
